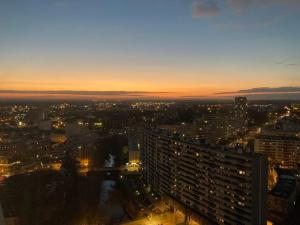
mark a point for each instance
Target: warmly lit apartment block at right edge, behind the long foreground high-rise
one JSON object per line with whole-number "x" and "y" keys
{"x": 281, "y": 143}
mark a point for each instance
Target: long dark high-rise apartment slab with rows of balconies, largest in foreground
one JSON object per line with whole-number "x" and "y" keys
{"x": 225, "y": 187}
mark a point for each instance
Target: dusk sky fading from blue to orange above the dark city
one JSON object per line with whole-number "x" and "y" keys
{"x": 157, "y": 48}
